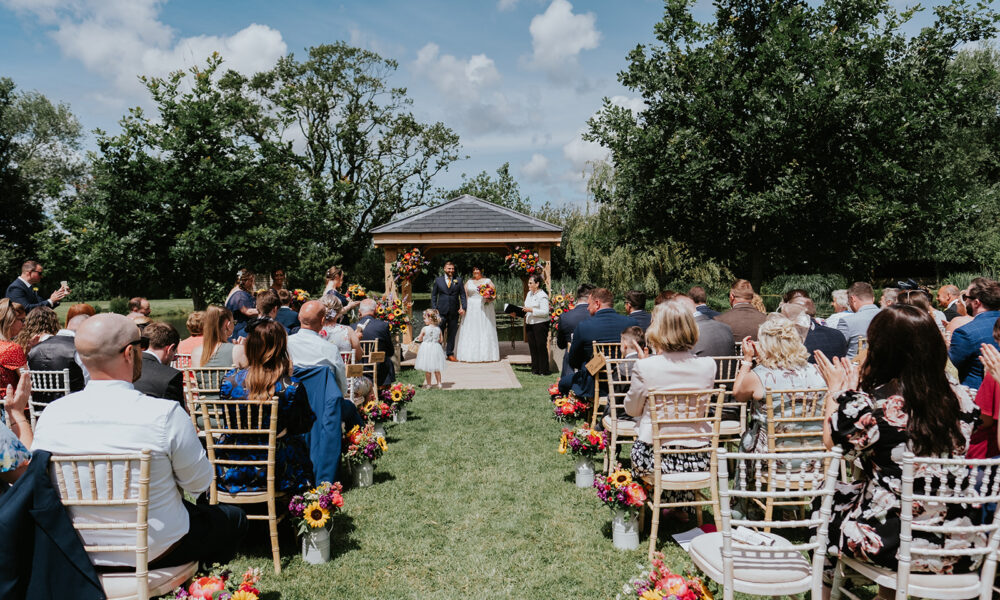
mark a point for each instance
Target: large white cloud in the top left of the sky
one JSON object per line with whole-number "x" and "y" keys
{"x": 123, "y": 39}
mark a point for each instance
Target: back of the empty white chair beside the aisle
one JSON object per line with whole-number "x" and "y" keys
{"x": 753, "y": 488}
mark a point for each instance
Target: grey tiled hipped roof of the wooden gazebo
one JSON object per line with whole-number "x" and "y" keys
{"x": 467, "y": 214}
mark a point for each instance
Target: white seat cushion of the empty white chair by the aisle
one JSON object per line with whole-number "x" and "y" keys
{"x": 787, "y": 570}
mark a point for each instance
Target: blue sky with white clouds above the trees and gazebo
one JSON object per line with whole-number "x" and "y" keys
{"x": 516, "y": 79}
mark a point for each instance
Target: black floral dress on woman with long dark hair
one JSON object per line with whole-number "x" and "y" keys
{"x": 866, "y": 514}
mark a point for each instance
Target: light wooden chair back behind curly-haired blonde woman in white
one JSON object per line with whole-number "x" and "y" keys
{"x": 795, "y": 420}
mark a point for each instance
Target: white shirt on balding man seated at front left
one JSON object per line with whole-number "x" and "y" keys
{"x": 112, "y": 417}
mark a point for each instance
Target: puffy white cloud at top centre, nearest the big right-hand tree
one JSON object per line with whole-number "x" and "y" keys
{"x": 558, "y": 36}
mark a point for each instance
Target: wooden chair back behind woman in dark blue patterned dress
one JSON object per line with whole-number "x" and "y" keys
{"x": 253, "y": 424}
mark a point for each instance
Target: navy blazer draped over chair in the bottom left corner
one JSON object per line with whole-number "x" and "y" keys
{"x": 41, "y": 555}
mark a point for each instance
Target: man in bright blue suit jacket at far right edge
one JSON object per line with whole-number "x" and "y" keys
{"x": 983, "y": 303}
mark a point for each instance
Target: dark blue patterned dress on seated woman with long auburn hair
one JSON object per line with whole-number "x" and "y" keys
{"x": 293, "y": 469}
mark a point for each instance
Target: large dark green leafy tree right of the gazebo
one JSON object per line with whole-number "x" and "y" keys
{"x": 784, "y": 130}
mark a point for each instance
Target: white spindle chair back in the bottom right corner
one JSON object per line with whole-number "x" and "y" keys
{"x": 943, "y": 483}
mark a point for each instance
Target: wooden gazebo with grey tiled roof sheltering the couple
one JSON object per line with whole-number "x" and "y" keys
{"x": 465, "y": 223}
